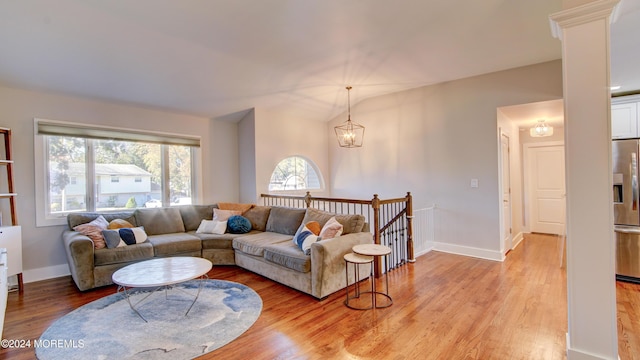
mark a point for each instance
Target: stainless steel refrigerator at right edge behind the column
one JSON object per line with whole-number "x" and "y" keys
{"x": 626, "y": 208}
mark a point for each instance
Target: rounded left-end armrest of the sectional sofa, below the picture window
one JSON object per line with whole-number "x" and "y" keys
{"x": 80, "y": 255}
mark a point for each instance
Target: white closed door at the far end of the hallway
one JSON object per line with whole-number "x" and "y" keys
{"x": 547, "y": 189}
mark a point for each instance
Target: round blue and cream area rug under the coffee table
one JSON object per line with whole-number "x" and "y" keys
{"x": 108, "y": 329}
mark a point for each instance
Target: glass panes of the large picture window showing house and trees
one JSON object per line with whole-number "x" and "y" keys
{"x": 86, "y": 173}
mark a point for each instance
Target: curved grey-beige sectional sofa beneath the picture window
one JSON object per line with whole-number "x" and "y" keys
{"x": 267, "y": 249}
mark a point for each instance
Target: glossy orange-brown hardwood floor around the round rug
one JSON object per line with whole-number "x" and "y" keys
{"x": 445, "y": 307}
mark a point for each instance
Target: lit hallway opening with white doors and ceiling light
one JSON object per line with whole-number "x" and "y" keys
{"x": 516, "y": 122}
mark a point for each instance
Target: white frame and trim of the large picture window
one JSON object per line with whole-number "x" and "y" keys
{"x": 43, "y": 218}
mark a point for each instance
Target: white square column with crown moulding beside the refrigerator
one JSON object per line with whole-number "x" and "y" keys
{"x": 584, "y": 32}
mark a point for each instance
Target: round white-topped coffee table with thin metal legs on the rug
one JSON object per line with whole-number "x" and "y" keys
{"x": 160, "y": 273}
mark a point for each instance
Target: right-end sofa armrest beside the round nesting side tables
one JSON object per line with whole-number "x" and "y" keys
{"x": 327, "y": 262}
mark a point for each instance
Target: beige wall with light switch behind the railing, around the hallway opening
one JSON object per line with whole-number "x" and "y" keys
{"x": 432, "y": 141}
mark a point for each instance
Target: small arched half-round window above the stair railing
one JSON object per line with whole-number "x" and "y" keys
{"x": 295, "y": 173}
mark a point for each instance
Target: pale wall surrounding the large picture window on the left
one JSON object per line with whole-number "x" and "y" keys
{"x": 42, "y": 247}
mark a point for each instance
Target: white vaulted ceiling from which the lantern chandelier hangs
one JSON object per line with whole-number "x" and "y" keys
{"x": 220, "y": 58}
